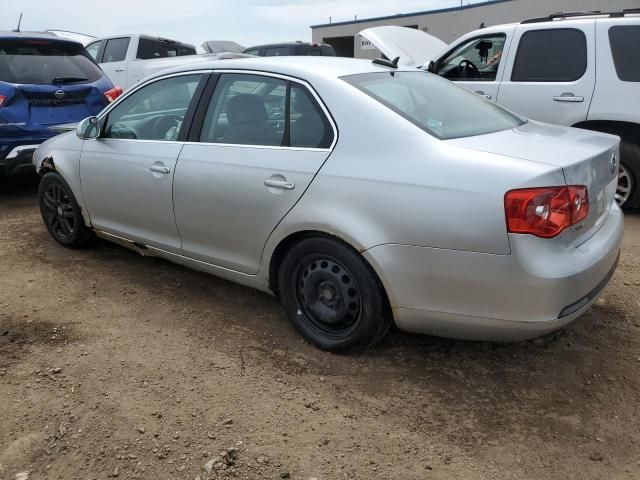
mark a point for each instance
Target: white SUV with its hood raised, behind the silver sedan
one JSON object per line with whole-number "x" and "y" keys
{"x": 575, "y": 69}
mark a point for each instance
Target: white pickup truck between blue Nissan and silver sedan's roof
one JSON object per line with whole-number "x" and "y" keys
{"x": 127, "y": 59}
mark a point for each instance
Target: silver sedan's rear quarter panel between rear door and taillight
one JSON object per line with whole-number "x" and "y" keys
{"x": 389, "y": 182}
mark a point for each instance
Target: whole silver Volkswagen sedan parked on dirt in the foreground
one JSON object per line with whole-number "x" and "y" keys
{"x": 360, "y": 193}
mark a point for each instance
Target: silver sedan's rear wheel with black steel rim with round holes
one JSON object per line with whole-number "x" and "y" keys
{"x": 332, "y": 296}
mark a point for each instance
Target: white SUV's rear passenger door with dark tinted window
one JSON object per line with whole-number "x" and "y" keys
{"x": 550, "y": 73}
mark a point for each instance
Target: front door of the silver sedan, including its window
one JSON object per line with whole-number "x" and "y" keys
{"x": 127, "y": 173}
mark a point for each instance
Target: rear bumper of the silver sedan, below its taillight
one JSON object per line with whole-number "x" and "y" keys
{"x": 514, "y": 297}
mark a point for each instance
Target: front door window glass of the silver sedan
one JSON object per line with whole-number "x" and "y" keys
{"x": 154, "y": 112}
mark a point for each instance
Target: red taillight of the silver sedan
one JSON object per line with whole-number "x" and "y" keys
{"x": 545, "y": 212}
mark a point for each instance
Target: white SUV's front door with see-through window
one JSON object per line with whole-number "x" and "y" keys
{"x": 476, "y": 63}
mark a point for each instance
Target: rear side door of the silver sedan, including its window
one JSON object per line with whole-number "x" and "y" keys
{"x": 262, "y": 140}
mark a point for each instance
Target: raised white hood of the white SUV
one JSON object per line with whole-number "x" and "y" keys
{"x": 414, "y": 47}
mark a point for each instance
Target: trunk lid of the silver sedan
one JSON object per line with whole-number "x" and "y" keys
{"x": 585, "y": 157}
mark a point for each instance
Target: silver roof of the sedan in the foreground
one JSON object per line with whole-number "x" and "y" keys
{"x": 306, "y": 68}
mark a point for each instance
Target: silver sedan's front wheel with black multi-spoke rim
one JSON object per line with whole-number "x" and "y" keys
{"x": 61, "y": 213}
